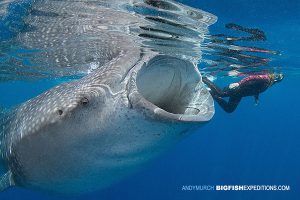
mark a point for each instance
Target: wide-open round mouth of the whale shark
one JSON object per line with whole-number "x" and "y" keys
{"x": 172, "y": 88}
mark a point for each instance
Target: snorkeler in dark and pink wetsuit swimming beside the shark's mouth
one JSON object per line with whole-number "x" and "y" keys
{"x": 252, "y": 85}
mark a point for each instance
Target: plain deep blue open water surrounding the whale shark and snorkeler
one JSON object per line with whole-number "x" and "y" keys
{"x": 256, "y": 145}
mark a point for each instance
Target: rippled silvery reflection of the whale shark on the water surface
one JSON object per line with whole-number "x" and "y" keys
{"x": 69, "y": 39}
